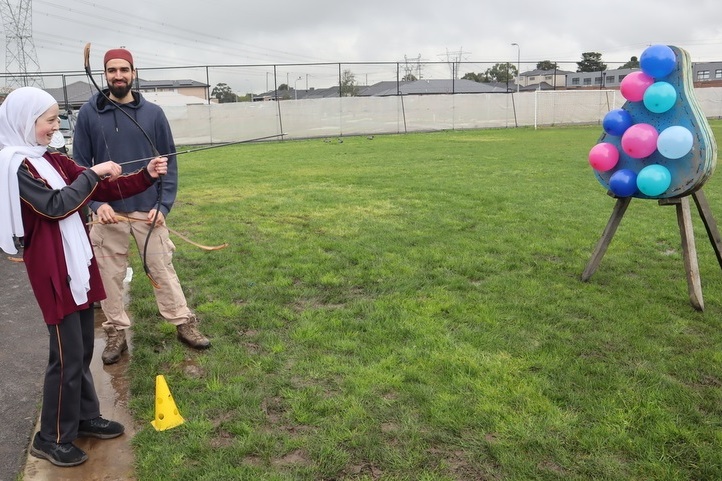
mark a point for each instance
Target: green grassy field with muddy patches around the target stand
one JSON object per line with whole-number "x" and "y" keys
{"x": 409, "y": 307}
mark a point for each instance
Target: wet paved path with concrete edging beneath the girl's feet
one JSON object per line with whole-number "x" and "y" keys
{"x": 23, "y": 355}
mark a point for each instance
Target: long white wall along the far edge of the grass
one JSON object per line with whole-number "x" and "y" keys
{"x": 215, "y": 123}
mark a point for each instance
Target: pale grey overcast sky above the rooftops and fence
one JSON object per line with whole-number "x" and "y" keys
{"x": 164, "y": 33}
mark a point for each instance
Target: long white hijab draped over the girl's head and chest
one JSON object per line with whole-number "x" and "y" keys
{"x": 18, "y": 114}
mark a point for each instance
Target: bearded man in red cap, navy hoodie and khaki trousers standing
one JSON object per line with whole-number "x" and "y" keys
{"x": 102, "y": 133}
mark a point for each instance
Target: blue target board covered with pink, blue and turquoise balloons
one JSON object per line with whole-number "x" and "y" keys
{"x": 659, "y": 145}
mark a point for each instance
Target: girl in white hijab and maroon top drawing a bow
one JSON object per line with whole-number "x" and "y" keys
{"x": 41, "y": 199}
